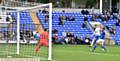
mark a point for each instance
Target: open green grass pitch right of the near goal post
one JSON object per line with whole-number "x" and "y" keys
{"x": 82, "y": 53}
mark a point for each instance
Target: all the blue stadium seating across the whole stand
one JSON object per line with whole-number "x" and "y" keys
{"x": 69, "y": 26}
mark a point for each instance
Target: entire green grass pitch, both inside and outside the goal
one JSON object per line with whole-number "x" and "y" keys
{"x": 63, "y": 52}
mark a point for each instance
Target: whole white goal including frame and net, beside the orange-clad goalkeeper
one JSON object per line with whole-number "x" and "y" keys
{"x": 18, "y": 27}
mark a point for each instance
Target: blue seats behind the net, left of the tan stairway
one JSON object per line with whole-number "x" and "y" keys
{"x": 25, "y": 20}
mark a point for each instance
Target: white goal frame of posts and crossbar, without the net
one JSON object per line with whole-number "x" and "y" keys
{"x": 19, "y": 9}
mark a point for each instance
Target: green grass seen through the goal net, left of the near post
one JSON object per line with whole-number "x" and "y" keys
{"x": 26, "y": 51}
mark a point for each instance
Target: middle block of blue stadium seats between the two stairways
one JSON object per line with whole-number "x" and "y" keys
{"x": 69, "y": 26}
